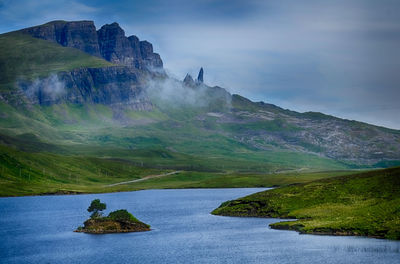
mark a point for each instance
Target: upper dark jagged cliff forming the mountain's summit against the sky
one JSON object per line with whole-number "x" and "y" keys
{"x": 109, "y": 42}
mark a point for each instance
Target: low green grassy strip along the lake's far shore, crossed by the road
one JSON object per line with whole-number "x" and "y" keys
{"x": 33, "y": 173}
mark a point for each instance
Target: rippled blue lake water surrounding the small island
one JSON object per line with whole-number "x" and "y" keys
{"x": 39, "y": 230}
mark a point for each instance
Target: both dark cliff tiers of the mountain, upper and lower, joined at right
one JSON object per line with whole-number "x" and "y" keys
{"x": 121, "y": 85}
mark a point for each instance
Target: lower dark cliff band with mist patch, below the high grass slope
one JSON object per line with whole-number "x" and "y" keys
{"x": 114, "y": 86}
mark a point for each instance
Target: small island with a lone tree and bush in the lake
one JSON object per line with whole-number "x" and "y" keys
{"x": 120, "y": 221}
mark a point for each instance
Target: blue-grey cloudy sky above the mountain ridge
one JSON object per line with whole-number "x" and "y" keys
{"x": 340, "y": 57}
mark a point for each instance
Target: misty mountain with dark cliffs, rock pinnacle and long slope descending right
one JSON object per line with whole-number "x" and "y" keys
{"x": 161, "y": 112}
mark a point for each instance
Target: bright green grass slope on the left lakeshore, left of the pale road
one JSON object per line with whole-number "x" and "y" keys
{"x": 25, "y": 173}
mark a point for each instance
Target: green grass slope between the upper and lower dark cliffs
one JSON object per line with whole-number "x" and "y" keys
{"x": 24, "y": 56}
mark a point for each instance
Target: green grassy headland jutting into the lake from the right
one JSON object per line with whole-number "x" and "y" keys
{"x": 364, "y": 204}
